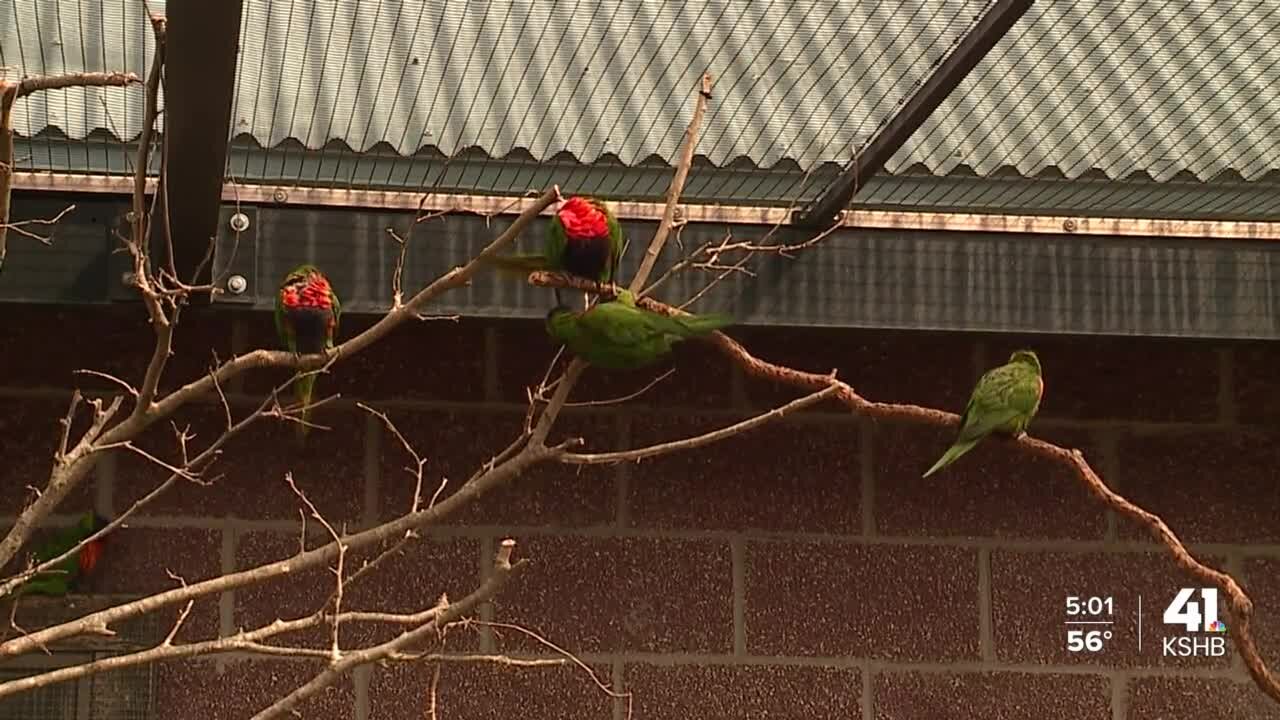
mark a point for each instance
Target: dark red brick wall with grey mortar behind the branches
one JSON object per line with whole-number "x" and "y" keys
{"x": 803, "y": 571}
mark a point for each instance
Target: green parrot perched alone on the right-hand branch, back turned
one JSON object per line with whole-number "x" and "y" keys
{"x": 1005, "y": 400}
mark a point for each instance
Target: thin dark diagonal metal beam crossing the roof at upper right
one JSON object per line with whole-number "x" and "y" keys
{"x": 825, "y": 211}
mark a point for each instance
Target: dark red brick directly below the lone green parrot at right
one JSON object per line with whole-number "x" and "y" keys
{"x": 988, "y": 493}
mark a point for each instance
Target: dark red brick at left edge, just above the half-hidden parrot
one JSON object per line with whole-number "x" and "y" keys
{"x": 29, "y": 436}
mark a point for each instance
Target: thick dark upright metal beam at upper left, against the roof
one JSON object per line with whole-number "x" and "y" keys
{"x": 200, "y": 78}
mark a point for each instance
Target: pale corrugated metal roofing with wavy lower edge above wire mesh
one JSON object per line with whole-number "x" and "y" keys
{"x": 1121, "y": 86}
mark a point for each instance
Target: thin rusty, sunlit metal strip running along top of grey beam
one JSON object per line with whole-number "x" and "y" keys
{"x": 726, "y": 215}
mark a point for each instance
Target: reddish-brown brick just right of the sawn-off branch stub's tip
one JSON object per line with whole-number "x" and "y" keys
{"x": 623, "y": 594}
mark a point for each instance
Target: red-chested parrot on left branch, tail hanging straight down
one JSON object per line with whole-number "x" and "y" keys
{"x": 307, "y": 320}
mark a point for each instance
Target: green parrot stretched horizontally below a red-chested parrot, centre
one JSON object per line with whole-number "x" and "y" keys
{"x": 620, "y": 336}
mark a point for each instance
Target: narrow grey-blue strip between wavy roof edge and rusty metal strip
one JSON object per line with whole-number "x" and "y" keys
{"x": 290, "y": 165}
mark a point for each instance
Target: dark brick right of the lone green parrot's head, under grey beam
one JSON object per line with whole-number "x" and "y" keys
{"x": 1098, "y": 377}
